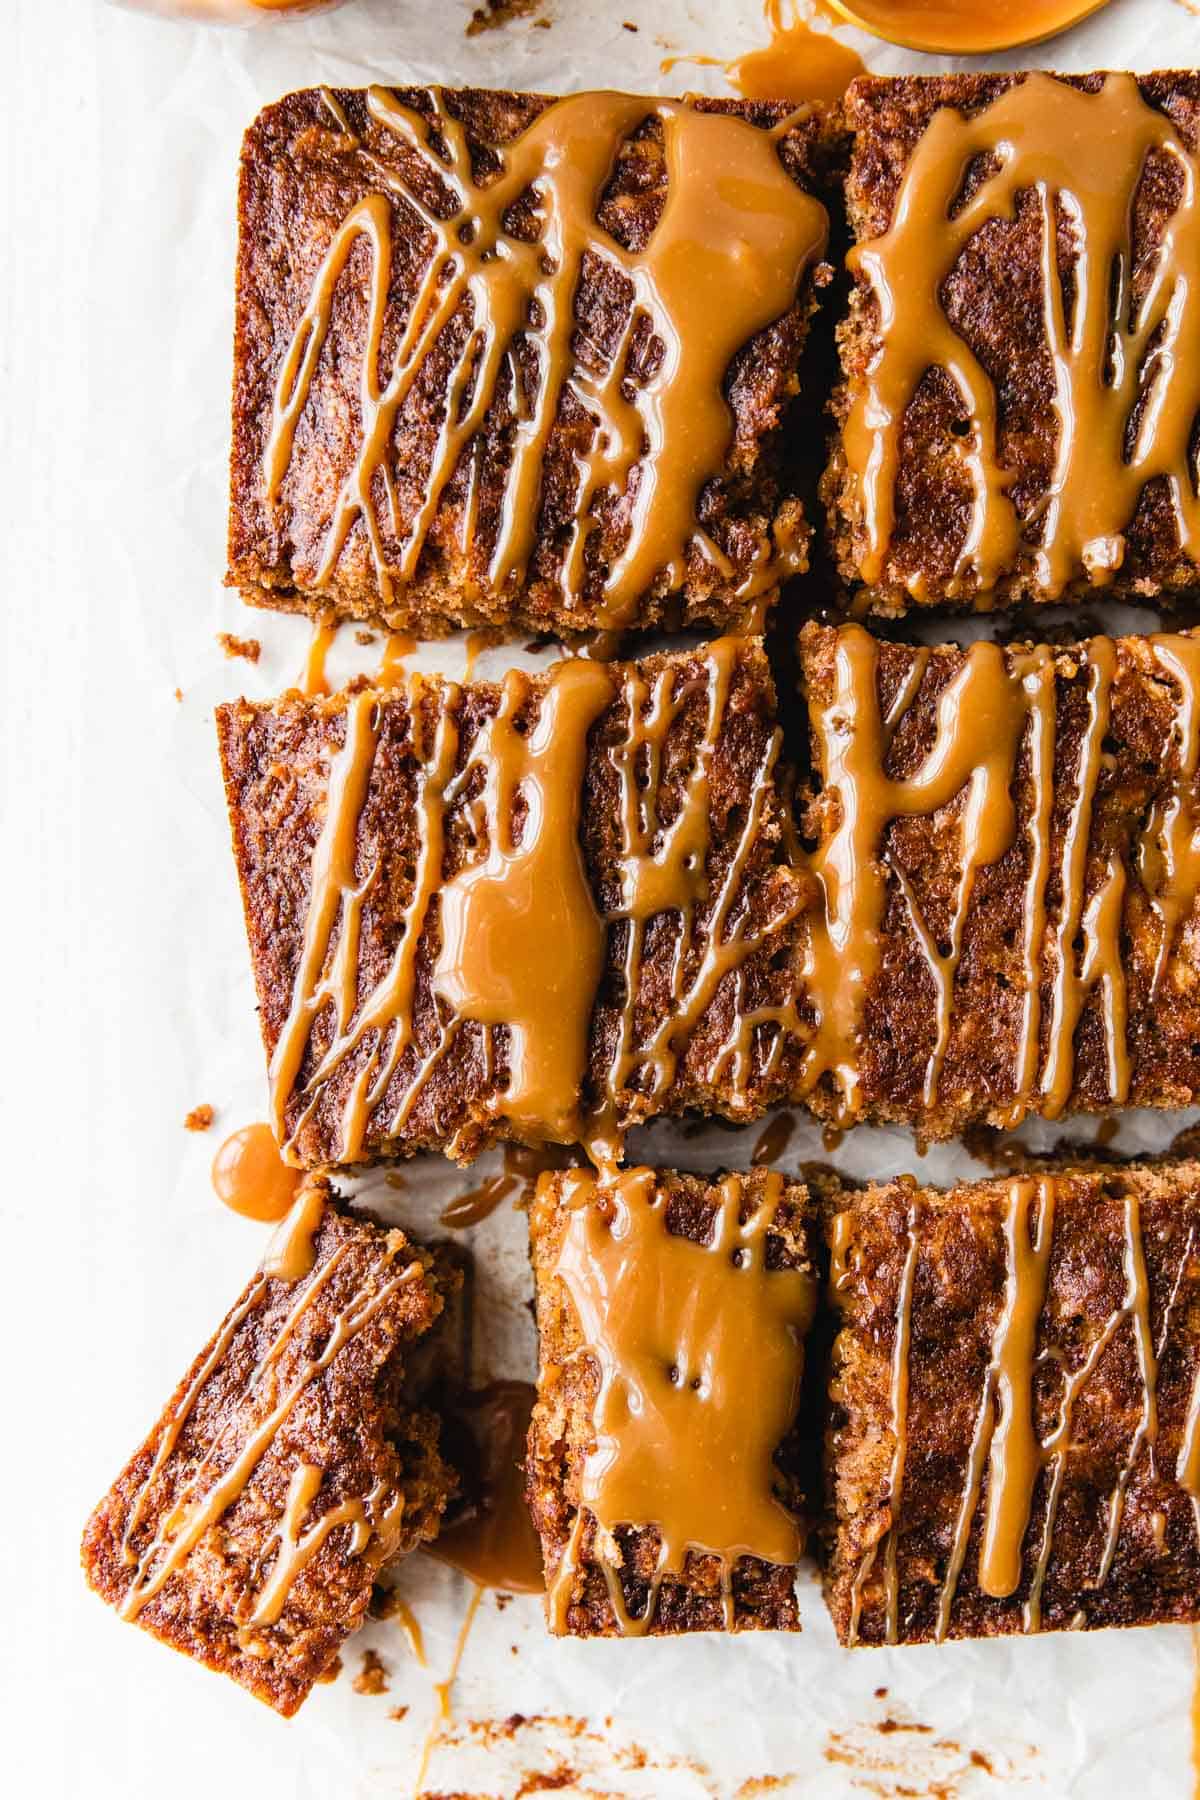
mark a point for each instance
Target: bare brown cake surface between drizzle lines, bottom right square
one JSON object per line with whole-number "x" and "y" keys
{"x": 958, "y": 1297}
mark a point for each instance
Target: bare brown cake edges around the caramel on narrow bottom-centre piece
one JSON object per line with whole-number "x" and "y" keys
{"x": 562, "y": 1434}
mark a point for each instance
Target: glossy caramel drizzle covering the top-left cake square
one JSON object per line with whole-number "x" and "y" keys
{"x": 724, "y": 262}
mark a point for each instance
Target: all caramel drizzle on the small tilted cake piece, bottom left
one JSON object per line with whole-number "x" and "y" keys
{"x": 219, "y": 1479}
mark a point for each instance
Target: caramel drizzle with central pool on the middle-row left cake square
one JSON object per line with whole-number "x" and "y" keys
{"x": 523, "y": 944}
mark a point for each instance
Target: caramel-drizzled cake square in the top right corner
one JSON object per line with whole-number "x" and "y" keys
{"x": 1019, "y": 426}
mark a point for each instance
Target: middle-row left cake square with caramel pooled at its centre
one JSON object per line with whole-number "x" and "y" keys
{"x": 542, "y": 910}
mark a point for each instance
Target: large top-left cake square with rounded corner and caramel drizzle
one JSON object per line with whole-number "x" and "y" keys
{"x": 521, "y": 363}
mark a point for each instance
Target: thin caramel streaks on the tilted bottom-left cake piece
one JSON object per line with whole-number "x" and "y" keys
{"x": 199, "y": 1509}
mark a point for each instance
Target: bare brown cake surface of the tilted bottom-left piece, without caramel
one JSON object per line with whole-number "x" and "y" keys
{"x": 352, "y": 1423}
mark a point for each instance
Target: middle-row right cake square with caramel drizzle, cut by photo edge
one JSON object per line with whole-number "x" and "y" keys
{"x": 1008, "y": 852}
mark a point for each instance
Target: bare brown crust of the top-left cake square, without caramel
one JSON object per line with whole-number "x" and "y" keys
{"x": 301, "y": 175}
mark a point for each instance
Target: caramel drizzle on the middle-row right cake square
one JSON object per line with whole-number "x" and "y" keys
{"x": 985, "y": 715}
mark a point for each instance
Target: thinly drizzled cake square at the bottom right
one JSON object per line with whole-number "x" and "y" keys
{"x": 1014, "y": 1419}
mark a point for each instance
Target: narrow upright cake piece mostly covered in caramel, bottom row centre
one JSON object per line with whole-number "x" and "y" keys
{"x": 663, "y": 1468}
